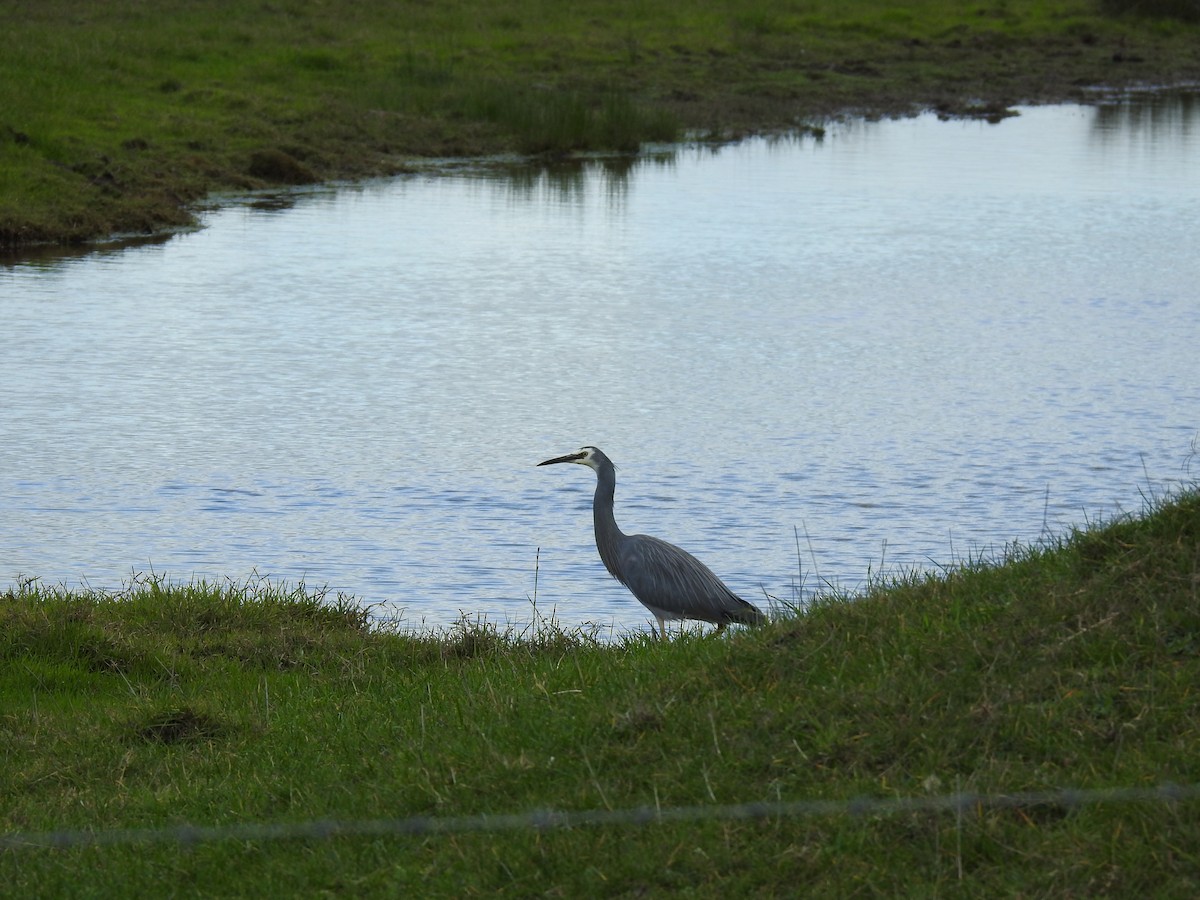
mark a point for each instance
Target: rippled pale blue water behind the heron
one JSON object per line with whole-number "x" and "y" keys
{"x": 905, "y": 345}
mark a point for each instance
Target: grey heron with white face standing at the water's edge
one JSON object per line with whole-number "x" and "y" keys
{"x": 669, "y": 581}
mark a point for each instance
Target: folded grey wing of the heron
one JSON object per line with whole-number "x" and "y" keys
{"x": 671, "y": 580}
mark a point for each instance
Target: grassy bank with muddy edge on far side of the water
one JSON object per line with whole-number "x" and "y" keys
{"x": 116, "y": 117}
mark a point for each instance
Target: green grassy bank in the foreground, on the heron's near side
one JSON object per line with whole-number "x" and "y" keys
{"x": 1070, "y": 665}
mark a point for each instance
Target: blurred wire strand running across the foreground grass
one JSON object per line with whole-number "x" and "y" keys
{"x": 1169, "y": 795}
